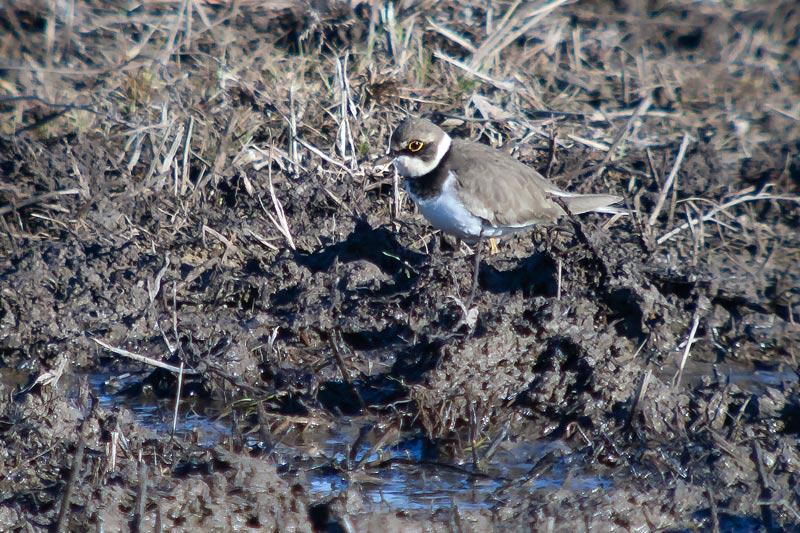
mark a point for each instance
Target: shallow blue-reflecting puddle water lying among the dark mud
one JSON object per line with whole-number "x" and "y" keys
{"x": 410, "y": 475}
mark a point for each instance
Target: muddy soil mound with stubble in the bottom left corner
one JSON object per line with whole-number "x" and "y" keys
{"x": 120, "y": 475}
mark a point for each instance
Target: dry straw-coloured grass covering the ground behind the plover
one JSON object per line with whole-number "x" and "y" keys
{"x": 678, "y": 109}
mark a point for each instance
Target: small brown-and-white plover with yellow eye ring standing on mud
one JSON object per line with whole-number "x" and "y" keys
{"x": 473, "y": 191}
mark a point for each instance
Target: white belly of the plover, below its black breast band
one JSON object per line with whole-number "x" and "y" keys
{"x": 447, "y": 213}
